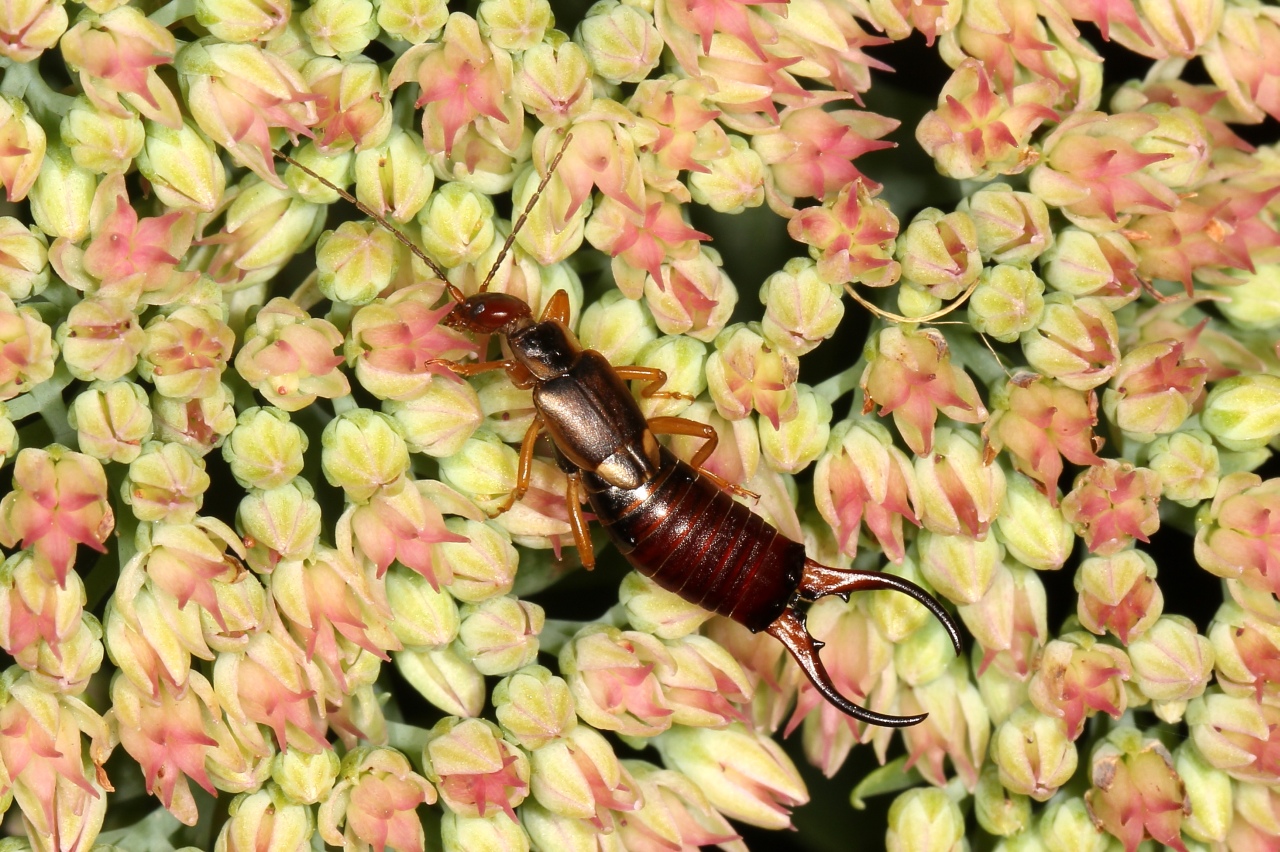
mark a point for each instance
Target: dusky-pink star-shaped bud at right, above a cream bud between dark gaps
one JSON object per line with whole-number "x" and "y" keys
{"x": 1112, "y": 505}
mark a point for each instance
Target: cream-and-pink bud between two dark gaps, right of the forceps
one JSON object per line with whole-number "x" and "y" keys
{"x": 1119, "y": 594}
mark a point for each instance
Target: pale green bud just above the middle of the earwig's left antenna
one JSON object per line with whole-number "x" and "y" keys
{"x": 396, "y": 178}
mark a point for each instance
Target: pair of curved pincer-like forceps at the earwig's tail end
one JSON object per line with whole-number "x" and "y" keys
{"x": 790, "y": 630}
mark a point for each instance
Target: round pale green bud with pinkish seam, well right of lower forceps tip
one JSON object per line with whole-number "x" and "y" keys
{"x": 1034, "y": 754}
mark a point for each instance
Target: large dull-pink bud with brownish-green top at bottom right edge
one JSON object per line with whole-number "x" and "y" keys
{"x": 1137, "y": 793}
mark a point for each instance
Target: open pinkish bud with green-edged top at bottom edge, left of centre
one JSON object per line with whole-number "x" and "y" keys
{"x": 376, "y": 800}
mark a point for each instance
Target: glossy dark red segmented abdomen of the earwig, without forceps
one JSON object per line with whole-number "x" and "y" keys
{"x": 693, "y": 539}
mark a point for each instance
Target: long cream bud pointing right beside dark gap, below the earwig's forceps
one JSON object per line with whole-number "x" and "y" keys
{"x": 746, "y": 776}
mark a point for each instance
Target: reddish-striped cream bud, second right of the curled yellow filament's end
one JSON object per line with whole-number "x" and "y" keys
{"x": 1076, "y": 342}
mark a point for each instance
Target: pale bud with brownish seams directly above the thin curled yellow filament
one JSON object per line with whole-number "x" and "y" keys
{"x": 939, "y": 253}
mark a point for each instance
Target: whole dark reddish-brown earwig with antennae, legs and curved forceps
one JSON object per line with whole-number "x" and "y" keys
{"x": 674, "y": 521}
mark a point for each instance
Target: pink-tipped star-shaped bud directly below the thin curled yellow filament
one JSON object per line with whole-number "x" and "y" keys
{"x": 911, "y": 375}
